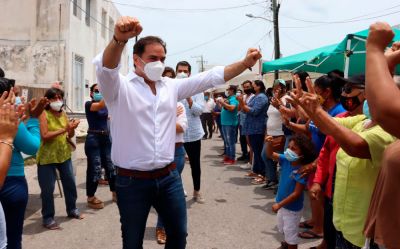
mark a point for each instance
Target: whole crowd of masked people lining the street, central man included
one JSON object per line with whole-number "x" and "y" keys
{"x": 335, "y": 136}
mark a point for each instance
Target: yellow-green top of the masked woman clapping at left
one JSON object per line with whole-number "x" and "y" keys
{"x": 56, "y": 150}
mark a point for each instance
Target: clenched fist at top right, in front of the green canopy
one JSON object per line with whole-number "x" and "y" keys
{"x": 380, "y": 35}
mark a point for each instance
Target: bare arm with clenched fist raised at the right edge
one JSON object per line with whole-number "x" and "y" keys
{"x": 380, "y": 86}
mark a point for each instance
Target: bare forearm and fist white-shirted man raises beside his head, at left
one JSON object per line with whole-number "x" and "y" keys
{"x": 125, "y": 29}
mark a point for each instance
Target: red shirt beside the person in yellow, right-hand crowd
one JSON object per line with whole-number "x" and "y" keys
{"x": 327, "y": 162}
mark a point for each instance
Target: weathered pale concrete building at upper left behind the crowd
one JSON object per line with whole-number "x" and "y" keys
{"x": 43, "y": 41}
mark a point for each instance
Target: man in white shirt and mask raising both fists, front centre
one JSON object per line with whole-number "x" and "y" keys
{"x": 143, "y": 107}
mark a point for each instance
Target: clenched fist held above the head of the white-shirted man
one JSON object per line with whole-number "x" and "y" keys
{"x": 126, "y": 28}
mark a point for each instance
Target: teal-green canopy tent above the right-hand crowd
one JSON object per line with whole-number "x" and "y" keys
{"x": 348, "y": 56}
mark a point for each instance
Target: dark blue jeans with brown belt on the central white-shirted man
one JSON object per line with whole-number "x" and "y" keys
{"x": 136, "y": 196}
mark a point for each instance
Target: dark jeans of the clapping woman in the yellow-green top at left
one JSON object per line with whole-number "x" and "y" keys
{"x": 47, "y": 179}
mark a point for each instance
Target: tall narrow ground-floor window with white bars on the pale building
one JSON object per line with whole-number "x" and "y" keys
{"x": 78, "y": 83}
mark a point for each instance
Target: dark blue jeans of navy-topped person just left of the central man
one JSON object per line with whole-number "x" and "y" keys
{"x": 98, "y": 153}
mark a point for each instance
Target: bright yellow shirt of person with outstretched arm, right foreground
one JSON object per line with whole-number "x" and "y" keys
{"x": 355, "y": 180}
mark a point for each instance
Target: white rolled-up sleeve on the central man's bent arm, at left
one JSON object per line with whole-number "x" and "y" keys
{"x": 109, "y": 80}
